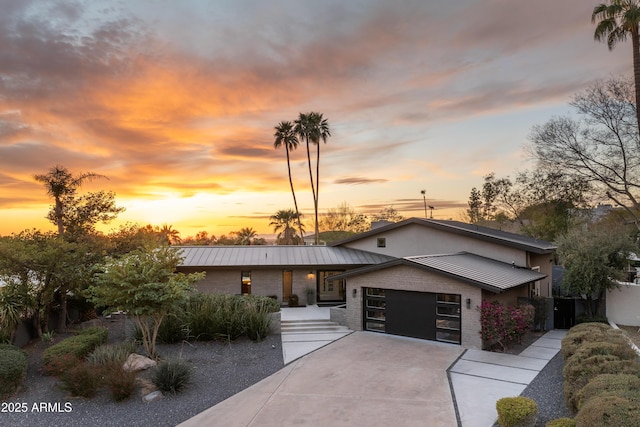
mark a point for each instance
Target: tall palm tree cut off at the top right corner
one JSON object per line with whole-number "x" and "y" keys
{"x": 616, "y": 20}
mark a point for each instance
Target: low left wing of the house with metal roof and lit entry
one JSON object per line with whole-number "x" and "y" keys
{"x": 276, "y": 270}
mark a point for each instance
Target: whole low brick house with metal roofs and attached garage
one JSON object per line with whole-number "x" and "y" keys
{"x": 421, "y": 278}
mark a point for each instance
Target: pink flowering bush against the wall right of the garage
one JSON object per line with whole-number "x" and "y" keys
{"x": 504, "y": 325}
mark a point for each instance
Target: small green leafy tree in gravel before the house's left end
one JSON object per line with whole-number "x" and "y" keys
{"x": 144, "y": 284}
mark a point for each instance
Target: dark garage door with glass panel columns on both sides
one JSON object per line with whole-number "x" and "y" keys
{"x": 425, "y": 315}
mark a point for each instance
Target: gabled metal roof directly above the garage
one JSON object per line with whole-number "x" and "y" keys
{"x": 489, "y": 274}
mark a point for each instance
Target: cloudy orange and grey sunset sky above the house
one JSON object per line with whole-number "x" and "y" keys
{"x": 176, "y": 101}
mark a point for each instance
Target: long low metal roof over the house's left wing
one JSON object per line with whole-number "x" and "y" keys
{"x": 276, "y": 256}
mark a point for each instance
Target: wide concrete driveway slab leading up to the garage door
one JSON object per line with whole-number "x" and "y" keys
{"x": 362, "y": 379}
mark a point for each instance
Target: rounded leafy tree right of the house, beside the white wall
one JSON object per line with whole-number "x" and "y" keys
{"x": 594, "y": 259}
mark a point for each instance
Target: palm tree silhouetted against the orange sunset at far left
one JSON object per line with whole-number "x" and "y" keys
{"x": 61, "y": 184}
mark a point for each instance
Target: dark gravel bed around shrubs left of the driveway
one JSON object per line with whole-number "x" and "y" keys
{"x": 219, "y": 370}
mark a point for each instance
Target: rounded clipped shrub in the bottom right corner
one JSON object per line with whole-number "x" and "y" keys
{"x": 611, "y": 411}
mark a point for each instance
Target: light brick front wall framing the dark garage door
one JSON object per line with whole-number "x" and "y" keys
{"x": 414, "y": 279}
